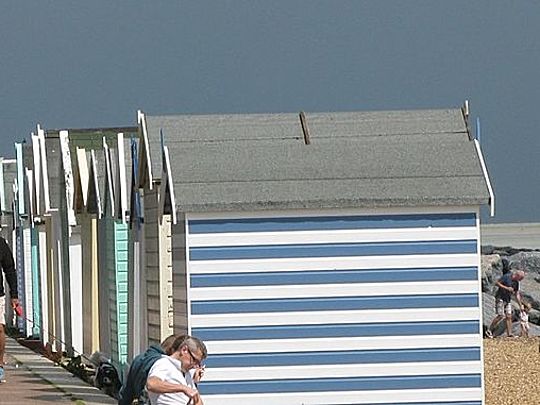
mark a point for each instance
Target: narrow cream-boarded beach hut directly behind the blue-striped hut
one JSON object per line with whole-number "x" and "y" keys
{"x": 155, "y": 246}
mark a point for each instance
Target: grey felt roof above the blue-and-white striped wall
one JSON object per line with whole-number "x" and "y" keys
{"x": 355, "y": 159}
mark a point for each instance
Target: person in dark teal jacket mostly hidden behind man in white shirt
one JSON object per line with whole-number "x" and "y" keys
{"x": 135, "y": 382}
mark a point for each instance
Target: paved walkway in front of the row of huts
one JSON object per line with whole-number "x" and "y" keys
{"x": 35, "y": 380}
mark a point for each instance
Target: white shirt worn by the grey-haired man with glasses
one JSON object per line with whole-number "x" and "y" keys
{"x": 169, "y": 369}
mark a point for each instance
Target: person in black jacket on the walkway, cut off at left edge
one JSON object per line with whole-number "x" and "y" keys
{"x": 8, "y": 267}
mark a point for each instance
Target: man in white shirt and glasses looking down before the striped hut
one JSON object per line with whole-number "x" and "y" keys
{"x": 169, "y": 380}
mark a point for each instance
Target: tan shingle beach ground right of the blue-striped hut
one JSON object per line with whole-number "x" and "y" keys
{"x": 512, "y": 371}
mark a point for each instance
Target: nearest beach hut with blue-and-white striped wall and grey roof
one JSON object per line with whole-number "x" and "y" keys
{"x": 328, "y": 258}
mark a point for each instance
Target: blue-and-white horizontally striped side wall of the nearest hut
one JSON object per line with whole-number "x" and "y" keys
{"x": 340, "y": 309}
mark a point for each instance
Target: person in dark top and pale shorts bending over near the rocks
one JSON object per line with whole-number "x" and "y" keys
{"x": 508, "y": 285}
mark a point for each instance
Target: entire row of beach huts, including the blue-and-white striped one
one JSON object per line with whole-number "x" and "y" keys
{"x": 324, "y": 258}
